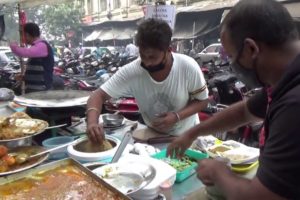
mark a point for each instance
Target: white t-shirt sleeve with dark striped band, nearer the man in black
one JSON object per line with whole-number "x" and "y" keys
{"x": 197, "y": 86}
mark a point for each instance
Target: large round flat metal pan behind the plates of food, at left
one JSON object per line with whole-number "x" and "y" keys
{"x": 53, "y": 98}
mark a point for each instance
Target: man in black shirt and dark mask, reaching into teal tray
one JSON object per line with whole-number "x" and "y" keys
{"x": 262, "y": 42}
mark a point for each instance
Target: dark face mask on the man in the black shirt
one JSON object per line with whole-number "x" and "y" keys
{"x": 248, "y": 76}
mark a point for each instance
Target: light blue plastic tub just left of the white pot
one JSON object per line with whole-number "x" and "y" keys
{"x": 56, "y": 141}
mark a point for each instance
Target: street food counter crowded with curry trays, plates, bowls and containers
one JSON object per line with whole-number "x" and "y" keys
{"x": 130, "y": 164}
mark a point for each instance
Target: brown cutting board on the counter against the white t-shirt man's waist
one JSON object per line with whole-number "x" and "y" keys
{"x": 150, "y": 136}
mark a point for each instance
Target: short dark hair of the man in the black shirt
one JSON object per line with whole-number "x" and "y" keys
{"x": 265, "y": 21}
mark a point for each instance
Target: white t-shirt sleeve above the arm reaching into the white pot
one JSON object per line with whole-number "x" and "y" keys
{"x": 119, "y": 84}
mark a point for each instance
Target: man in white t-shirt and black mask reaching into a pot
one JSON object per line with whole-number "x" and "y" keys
{"x": 169, "y": 88}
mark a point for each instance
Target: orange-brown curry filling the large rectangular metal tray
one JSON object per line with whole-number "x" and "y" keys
{"x": 61, "y": 183}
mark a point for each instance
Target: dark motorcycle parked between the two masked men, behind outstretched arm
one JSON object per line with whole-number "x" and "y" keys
{"x": 224, "y": 90}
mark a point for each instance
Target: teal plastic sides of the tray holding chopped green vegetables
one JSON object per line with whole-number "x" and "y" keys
{"x": 187, "y": 172}
